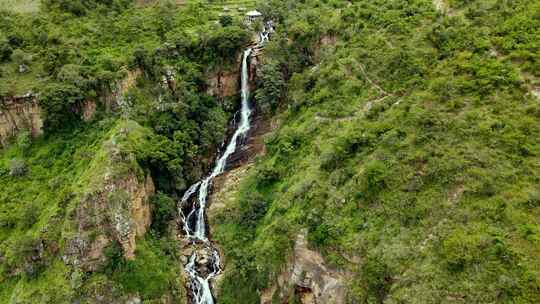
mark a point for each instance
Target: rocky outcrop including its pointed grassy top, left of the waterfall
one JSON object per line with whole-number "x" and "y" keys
{"x": 115, "y": 208}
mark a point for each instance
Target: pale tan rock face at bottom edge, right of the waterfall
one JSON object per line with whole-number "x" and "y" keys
{"x": 309, "y": 278}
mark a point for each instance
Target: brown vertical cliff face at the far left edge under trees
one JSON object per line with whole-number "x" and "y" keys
{"x": 19, "y": 113}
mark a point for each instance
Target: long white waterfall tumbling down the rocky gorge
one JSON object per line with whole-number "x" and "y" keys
{"x": 204, "y": 263}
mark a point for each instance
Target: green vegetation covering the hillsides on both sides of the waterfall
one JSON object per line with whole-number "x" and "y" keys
{"x": 408, "y": 148}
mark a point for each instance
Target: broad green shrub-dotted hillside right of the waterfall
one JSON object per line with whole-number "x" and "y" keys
{"x": 434, "y": 185}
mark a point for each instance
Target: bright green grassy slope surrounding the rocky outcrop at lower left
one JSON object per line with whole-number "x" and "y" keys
{"x": 61, "y": 169}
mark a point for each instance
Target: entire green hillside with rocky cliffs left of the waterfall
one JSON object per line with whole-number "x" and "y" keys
{"x": 88, "y": 209}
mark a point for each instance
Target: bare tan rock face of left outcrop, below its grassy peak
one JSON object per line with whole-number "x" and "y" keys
{"x": 120, "y": 212}
